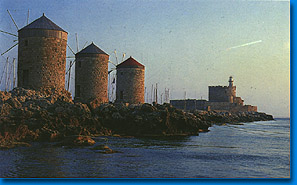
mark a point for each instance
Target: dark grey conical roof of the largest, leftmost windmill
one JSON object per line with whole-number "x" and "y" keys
{"x": 43, "y": 23}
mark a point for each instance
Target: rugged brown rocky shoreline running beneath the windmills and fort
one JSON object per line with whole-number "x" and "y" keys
{"x": 51, "y": 115}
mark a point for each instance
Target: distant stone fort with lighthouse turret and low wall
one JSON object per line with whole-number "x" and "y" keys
{"x": 221, "y": 98}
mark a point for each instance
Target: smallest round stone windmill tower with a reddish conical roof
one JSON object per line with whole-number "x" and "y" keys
{"x": 130, "y": 82}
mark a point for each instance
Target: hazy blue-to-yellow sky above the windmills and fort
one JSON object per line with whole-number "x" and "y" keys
{"x": 184, "y": 45}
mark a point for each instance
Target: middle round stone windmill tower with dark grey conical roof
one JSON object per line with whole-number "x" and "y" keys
{"x": 91, "y": 75}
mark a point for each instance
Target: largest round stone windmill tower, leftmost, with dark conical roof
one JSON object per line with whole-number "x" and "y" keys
{"x": 42, "y": 55}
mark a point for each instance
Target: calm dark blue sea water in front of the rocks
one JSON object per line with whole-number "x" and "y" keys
{"x": 258, "y": 149}
